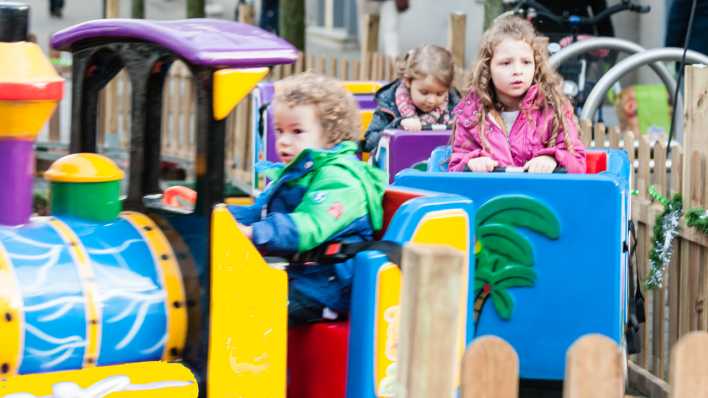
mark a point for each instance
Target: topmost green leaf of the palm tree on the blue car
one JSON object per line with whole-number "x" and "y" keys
{"x": 519, "y": 211}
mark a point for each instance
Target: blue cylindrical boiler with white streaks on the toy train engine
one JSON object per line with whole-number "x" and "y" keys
{"x": 75, "y": 277}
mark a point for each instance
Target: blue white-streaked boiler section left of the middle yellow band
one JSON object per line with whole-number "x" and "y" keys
{"x": 54, "y": 335}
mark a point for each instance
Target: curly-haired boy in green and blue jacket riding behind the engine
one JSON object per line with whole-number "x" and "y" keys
{"x": 323, "y": 193}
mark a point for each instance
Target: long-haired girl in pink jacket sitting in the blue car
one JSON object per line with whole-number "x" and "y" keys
{"x": 515, "y": 113}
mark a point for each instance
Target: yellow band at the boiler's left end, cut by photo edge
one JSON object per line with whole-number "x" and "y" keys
{"x": 11, "y": 319}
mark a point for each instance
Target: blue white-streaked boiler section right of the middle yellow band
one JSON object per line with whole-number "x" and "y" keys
{"x": 129, "y": 289}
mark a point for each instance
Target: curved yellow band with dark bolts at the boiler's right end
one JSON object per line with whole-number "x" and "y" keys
{"x": 164, "y": 257}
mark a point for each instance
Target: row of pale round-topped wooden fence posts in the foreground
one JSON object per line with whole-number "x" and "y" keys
{"x": 428, "y": 351}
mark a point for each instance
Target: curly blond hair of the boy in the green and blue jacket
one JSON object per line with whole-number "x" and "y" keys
{"x": 336, "y": 108}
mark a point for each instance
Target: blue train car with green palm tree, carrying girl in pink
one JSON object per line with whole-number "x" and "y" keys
{"x": 553, "y": 269}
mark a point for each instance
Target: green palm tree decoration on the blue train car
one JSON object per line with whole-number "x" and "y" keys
{"x": 504, "y": 257}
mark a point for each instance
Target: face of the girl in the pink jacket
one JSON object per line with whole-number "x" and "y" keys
{"x": 512, "y": 68}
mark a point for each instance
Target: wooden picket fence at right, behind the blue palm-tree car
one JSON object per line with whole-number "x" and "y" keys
{"x": 678, "y": 307}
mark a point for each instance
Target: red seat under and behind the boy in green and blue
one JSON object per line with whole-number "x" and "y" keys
{"x": 317, "y": 353}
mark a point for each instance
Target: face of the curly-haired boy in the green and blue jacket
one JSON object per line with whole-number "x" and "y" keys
{"x": 296, "y": 129}
